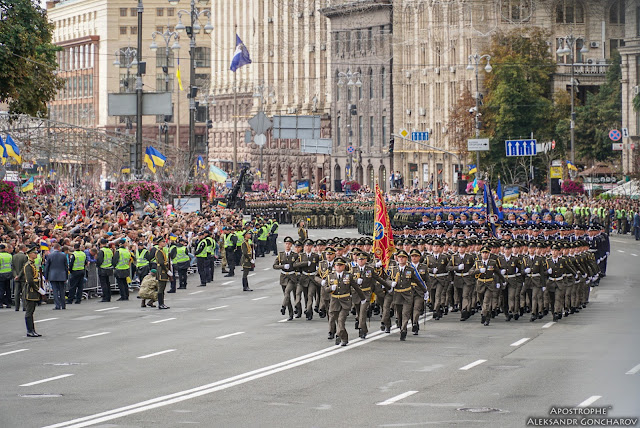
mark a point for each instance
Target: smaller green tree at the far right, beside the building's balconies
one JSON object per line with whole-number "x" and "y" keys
{"x": 601, "y": 113}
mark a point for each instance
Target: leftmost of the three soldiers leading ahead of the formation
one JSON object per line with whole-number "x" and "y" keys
{"x": 339, "y": 285}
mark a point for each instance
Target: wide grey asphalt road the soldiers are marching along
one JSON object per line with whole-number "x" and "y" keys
{"x": 223, "y": 357}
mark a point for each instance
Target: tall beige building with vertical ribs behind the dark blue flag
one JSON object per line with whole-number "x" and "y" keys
{"x": 288, "y": 44}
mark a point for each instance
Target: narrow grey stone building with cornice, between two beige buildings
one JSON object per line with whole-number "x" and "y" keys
{"x": 362, "y": 109}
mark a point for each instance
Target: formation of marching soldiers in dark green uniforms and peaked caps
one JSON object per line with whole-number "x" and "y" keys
{"x": 466, "y": 275}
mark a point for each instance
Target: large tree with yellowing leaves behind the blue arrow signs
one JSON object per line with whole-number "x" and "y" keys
{"x": 519, "y": 98}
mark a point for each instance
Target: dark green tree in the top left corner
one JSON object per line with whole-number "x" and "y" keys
{"x": 27, "y": 56}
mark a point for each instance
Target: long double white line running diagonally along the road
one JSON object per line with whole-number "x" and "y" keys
{"x": 220, "y": 385}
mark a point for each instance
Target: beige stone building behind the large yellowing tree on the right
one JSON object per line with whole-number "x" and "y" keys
{"x": 432, "y": 44}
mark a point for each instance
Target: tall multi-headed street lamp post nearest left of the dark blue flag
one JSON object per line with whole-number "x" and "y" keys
{"x": 192, "y": 30}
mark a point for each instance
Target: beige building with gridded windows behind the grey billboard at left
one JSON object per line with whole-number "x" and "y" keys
{"x": 91, "y": 32}
